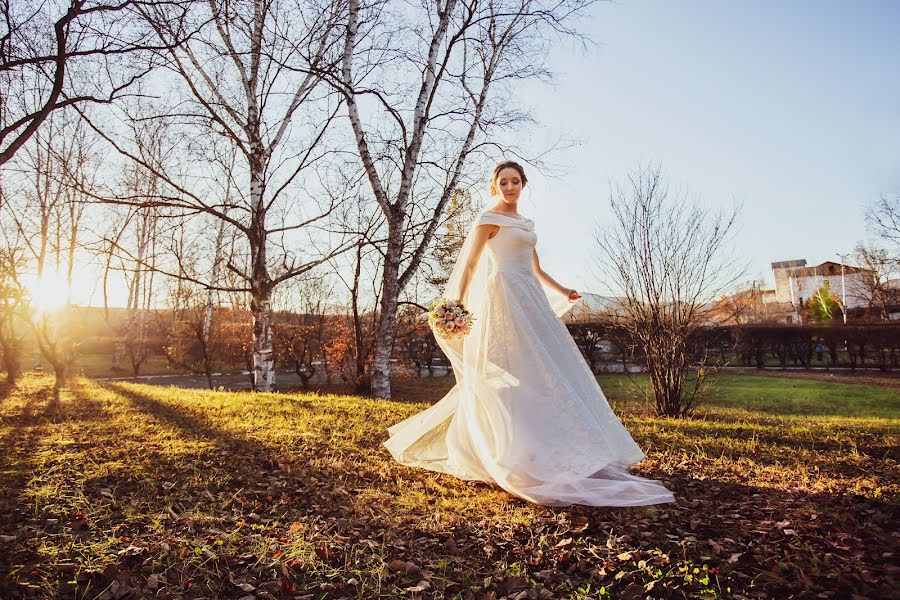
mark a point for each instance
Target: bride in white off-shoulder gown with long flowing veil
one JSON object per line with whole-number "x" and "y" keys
{"x": 526, "y": 412}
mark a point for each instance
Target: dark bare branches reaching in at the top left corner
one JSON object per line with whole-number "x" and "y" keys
{"x": 51, "y": 53}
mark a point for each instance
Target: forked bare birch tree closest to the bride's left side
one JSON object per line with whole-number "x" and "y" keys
{"x": 427, "y": 87}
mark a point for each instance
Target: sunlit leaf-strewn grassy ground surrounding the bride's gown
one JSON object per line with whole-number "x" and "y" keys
{"x": 786, "y": 488}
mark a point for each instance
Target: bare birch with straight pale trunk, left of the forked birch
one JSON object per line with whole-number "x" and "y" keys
{"x": 247, "y": 83}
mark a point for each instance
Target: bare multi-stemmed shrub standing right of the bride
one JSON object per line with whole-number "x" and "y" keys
{"x": 668, "y": 260}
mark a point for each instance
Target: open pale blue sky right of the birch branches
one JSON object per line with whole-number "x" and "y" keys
{"x": 790, "y": 108}
